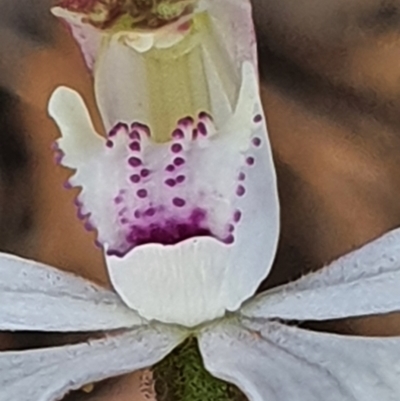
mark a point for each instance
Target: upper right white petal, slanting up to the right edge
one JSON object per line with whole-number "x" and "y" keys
{"x": 363, "y": 282}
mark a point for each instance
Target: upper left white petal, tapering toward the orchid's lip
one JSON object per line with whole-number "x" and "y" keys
{"x": 34, "y": 296}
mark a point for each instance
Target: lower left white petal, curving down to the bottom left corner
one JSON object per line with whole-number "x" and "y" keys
{"x": 48, "y": 374}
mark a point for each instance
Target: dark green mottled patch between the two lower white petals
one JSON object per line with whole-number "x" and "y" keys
{"x": 181, "y": 376}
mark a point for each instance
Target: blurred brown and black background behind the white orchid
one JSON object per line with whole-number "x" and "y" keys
{"x": 331, "y": 90}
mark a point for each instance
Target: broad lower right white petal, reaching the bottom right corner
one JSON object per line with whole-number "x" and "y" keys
{"x": 275, "y": 362}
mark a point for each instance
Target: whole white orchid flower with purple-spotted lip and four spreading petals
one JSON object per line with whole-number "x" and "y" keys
{"x": 183, "y": 196}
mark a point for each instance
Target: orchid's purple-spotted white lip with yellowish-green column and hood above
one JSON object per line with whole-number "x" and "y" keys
{"x": 179, "y": 188}
